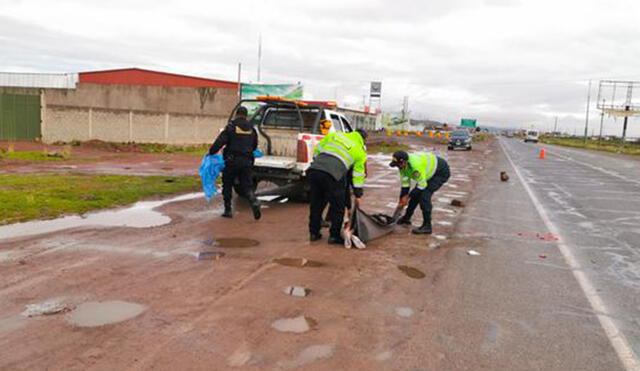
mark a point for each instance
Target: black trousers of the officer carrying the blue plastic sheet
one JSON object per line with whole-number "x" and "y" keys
{"x": 237, "y": 175}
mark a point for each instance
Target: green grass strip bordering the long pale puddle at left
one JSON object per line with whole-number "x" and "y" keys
{"x": 26, "y": 196}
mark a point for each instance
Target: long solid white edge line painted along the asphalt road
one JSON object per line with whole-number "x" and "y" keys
{"x": 616, "y": 337}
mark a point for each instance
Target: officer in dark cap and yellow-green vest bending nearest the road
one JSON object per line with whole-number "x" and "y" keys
{"x": 429, "y": 172}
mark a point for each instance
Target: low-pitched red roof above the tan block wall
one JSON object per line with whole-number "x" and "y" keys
{"x": 138, "y": 76}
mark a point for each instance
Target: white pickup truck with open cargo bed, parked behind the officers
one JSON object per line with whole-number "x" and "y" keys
{"x": 288, "y": 132}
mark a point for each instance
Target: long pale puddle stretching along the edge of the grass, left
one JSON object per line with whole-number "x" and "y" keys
{"x": 140, "y": 215}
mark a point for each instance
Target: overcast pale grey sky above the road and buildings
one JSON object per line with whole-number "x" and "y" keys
{"x": 505, "y": 62}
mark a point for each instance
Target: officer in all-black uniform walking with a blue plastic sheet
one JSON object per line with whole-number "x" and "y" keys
{"x": 239, "y": 139}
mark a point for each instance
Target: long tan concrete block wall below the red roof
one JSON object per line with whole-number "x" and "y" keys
{"x": 143, "y": 114}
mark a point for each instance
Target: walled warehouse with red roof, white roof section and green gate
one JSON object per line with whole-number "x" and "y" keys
{"x": 125, "y": 105}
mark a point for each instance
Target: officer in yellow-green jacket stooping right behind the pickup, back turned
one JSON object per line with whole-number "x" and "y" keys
{"x": 334, "y": 156}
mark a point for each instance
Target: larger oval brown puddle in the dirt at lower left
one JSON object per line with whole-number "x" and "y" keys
{"x": 94, "y": 314}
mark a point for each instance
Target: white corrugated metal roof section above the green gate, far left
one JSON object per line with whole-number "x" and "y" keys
{"x": 39, "y": 80}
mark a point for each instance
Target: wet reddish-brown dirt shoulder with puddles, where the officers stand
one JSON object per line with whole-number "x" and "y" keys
{"x": 363, "y": 311}
